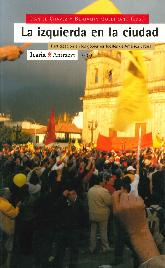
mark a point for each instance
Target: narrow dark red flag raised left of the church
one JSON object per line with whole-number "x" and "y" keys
{"x": 50, "y": 136}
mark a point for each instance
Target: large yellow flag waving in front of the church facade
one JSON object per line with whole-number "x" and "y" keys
{"x": 133, "y": 101}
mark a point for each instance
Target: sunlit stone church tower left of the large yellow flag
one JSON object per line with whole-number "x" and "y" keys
{"x": 103, "y": 82}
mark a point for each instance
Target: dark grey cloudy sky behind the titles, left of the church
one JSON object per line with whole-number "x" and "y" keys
{"x": 30, "y": 89}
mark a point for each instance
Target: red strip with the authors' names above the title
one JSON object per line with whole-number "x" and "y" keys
{"x": 90, "y": 18}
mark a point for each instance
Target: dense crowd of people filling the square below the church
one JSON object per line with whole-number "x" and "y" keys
{"x": 53, "y": 199}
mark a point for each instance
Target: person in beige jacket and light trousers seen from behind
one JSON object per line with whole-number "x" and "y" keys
{"x": 99, "y": 202}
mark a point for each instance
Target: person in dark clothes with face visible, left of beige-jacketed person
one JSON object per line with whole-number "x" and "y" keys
{"x": 70, "y": 221}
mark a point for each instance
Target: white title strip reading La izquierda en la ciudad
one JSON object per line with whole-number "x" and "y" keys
{"x": 87, "y": 33}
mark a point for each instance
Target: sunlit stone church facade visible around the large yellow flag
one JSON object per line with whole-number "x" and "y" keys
{"x": 104, "y": 80}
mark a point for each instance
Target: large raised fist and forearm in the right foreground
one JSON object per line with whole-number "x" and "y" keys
{"x": 131, "y": 213}
